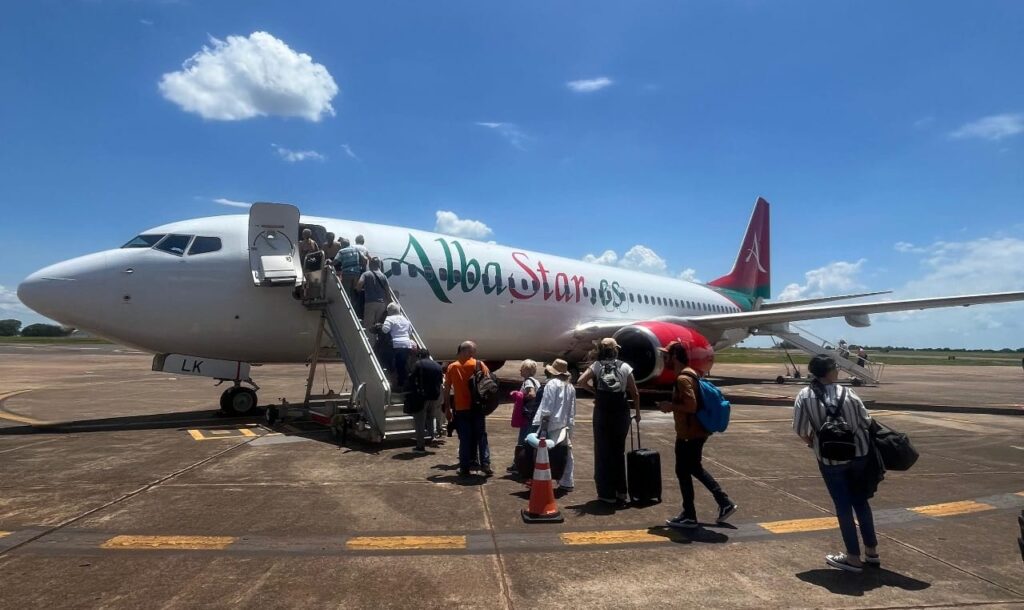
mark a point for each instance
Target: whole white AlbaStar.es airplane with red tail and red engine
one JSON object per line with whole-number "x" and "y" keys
{"x": 200, "y": 288}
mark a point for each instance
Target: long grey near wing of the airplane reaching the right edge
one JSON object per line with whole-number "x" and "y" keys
{"x": 750, "y": 320}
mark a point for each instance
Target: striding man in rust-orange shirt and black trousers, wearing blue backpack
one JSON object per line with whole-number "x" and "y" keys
{"x": 691, "y": 439}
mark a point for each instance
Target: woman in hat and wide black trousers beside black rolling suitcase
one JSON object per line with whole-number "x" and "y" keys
{"x": 611, "y": 380}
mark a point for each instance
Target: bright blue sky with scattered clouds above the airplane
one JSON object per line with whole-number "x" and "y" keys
{"x": 888, "y": 137}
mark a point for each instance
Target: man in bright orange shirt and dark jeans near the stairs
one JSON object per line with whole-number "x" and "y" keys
{"x": 464, "y": 377}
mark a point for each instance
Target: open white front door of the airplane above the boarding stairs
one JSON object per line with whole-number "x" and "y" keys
{"x": 274, "y": 255}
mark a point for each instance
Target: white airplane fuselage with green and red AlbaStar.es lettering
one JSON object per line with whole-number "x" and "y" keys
{"x": 207, "y": 304}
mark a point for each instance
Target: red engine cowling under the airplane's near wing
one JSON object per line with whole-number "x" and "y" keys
{"x": 639, "y": 345}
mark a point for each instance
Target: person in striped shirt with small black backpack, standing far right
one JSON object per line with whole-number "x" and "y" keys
{"x": 834, "y": 422}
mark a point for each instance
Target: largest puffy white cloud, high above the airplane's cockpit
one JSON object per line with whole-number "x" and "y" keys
{"x": 242, "y": 78}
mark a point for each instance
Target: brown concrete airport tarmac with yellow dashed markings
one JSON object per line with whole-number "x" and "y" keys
{"x": 122, "y": 488}
